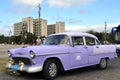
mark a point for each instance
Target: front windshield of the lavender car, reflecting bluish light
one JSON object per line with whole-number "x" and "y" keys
{"x": 56, "y": 40}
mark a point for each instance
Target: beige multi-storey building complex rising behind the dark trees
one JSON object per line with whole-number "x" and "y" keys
{"x": 38, "y": 27}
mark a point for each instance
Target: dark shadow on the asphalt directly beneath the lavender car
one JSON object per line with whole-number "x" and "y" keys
{"x": 38, "y": 76}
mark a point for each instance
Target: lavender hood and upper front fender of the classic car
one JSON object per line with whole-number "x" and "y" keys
{"x": 40, "y": 50}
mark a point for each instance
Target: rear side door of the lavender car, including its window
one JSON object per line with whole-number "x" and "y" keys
{"x": 94, "y": 48}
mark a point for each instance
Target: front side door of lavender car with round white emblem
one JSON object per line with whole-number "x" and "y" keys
{"x": 78, "y": 52}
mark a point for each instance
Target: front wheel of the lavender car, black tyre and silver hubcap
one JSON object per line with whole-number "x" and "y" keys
{"x": 50, "y": 70}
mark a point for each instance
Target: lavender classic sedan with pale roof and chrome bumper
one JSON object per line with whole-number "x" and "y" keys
{"x": 61, "y": 51}
